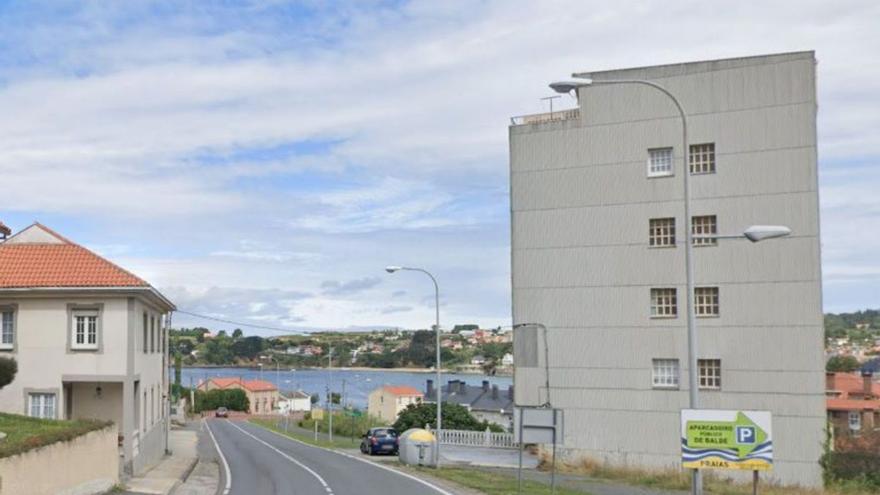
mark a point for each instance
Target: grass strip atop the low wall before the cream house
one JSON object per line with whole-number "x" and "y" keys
{"x": 24, "y": 433}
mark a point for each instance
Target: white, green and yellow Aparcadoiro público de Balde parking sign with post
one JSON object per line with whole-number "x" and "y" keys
{"x": 727, "y": 439}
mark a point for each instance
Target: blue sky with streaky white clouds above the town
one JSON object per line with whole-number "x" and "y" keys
{"x": 264, "y": 161}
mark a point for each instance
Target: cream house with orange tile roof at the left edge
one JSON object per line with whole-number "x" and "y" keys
{"x": 90, "y": 339}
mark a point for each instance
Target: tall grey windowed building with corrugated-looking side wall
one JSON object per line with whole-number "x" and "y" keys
{"x": 598, "y": 257}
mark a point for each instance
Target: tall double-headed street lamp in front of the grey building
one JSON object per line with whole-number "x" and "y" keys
{"x": 754, "y": 234}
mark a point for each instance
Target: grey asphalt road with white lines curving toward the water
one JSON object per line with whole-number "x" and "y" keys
{"x": 261, "y": 462}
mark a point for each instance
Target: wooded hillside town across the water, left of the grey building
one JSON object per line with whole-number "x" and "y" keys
{"x": 465, "y": 349}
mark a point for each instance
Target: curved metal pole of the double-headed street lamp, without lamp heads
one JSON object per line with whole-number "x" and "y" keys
{"x": 693, "y": 386}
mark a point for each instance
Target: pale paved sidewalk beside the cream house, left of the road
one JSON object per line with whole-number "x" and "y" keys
{"x": 172, "y": 469}
